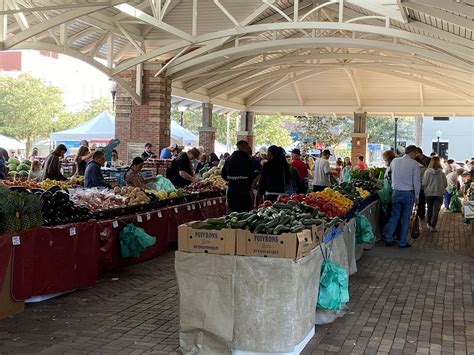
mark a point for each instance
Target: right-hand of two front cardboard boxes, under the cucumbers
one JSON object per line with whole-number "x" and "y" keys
{"x": 287, "y": 245}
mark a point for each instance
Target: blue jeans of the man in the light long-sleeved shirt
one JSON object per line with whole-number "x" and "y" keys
{"x": 402, "y": 205}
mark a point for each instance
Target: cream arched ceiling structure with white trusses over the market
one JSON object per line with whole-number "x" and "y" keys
{"x": 410, "y": 57}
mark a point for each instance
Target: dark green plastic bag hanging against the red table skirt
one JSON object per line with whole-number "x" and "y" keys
{"x": 133, "y": 241}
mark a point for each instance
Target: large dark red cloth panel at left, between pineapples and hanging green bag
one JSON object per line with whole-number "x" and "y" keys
{"x": 55, "y": 259}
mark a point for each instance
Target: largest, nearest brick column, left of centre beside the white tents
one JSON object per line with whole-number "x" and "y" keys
{"x": 148, "y": 122}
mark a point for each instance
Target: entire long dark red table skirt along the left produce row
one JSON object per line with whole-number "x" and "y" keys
{"x": 68, "y": 257}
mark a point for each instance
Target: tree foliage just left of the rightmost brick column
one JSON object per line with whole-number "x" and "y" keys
{"x": 328, "y": 130}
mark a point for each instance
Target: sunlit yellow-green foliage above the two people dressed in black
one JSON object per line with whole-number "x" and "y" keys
{"x": 269, "y": 130}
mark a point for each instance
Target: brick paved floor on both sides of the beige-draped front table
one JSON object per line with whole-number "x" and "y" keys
{"x": 402, "y": 301}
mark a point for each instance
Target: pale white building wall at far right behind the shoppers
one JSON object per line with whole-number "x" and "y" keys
{"x": 458, "y": 132}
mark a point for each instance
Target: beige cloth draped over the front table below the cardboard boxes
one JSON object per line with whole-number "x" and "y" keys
{"x": 246, "y": 304}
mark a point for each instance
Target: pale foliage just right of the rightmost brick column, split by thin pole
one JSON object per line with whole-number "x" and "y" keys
{"x": 382, "y": 129}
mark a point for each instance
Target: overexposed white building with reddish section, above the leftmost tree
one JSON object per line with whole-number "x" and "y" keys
{"x": 80, "y": 82}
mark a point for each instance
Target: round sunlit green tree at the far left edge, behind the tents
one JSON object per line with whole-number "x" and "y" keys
{"x": 28, "y": 107}
